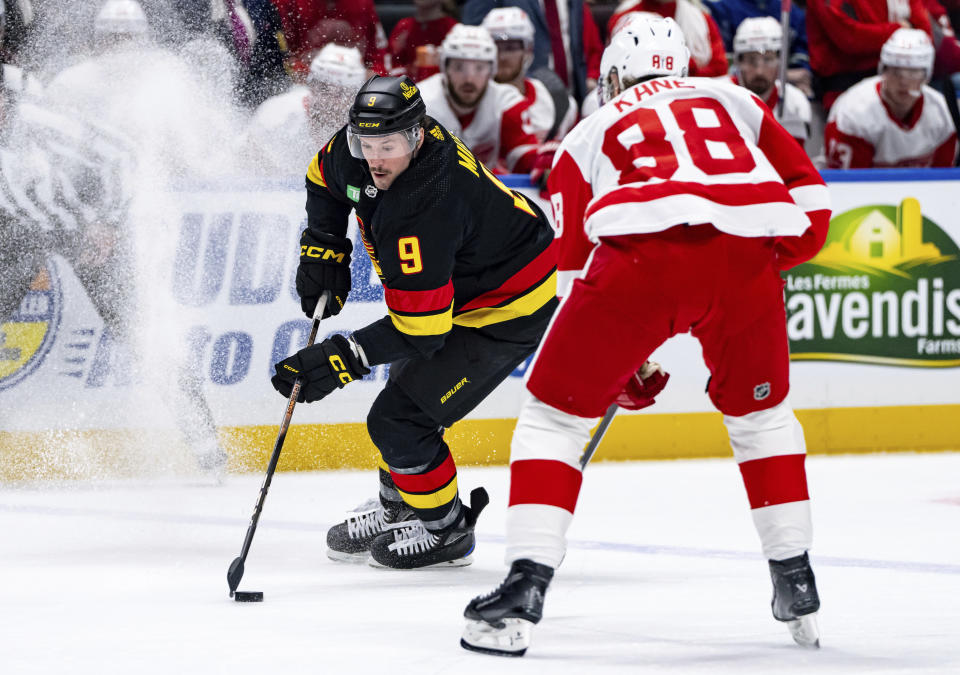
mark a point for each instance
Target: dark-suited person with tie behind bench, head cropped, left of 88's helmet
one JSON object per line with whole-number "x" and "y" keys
{"x": 566, "y": 39}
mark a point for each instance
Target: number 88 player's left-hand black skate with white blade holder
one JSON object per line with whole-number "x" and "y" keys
{"x": 499, "y": 623}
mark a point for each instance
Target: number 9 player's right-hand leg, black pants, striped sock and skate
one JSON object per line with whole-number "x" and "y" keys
{"x": 406, "y": 423}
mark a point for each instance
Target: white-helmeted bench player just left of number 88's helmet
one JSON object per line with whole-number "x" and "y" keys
{"x": 550, "y": 111}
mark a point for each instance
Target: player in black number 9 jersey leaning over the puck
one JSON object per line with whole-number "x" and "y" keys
{"x": 469, "y": 275}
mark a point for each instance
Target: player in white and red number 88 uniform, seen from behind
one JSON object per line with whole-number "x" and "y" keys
{"x": 695, "y": 199}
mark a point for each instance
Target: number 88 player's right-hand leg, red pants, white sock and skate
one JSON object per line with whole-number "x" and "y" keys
{"x": 748, "y": 357}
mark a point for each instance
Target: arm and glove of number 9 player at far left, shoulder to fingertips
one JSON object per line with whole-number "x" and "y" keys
{"x": 324, "y": 247}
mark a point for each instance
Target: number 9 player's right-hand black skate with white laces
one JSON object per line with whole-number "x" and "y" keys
{"x": 412, "y": 546}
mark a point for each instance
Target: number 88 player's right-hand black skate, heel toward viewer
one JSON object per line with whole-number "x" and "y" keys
{"x": 795, "y": 599}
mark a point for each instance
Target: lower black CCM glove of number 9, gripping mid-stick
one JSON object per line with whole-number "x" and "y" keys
{"x": 324, "y": 367}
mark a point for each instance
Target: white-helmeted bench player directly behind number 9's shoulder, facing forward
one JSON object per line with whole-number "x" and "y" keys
{"x": 485, "y": 115}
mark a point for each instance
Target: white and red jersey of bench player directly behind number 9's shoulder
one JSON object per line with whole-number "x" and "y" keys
{"x": 493, "y": 131}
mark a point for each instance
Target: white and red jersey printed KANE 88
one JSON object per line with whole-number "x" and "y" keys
{"x": 674, "y": 151}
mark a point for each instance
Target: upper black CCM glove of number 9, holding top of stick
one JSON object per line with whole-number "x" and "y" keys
{"x": 324, "y": 266}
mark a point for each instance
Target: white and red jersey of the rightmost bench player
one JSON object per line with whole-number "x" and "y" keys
{"x": 861, "y": 132}
